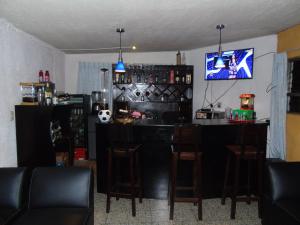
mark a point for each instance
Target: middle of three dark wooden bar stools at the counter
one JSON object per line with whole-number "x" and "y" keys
{"x": 186, "y": 148}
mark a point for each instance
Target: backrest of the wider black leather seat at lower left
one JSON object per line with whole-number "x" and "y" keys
{"x": 60, "y": 187}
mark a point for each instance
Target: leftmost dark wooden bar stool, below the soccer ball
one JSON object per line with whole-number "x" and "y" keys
{"x": 123, "y": 149}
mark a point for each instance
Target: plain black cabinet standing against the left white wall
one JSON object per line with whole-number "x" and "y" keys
{"x": 34, "y": 145}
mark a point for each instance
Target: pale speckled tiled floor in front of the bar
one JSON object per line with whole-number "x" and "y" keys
{"x": 156, "y": 212}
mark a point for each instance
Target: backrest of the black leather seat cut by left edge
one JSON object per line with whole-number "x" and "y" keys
{"x": 11, "y": 180}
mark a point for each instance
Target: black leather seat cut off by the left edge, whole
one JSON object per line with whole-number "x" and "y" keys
{"x": 11, "y": 197}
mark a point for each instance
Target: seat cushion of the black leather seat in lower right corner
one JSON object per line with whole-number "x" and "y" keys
{"x": 291, "y": 208}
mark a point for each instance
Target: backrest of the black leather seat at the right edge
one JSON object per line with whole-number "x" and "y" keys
{"x": 283, "y": 180}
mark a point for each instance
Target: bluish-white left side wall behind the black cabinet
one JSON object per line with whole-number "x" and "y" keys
{"x": 21, "y": 57}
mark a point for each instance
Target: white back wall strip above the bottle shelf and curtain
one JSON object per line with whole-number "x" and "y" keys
{"x": 72, "y": 61}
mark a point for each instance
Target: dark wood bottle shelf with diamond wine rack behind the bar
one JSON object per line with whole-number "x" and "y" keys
{"x": 158, "y": 91}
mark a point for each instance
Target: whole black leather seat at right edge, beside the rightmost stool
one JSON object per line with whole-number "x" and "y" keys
{"x": 281, "y": 203}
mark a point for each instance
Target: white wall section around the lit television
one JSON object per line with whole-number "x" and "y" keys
{"x": 258, "y": 85}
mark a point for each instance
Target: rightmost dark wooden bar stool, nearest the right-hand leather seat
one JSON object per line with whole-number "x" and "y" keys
{"x": 250, "y": 149}
